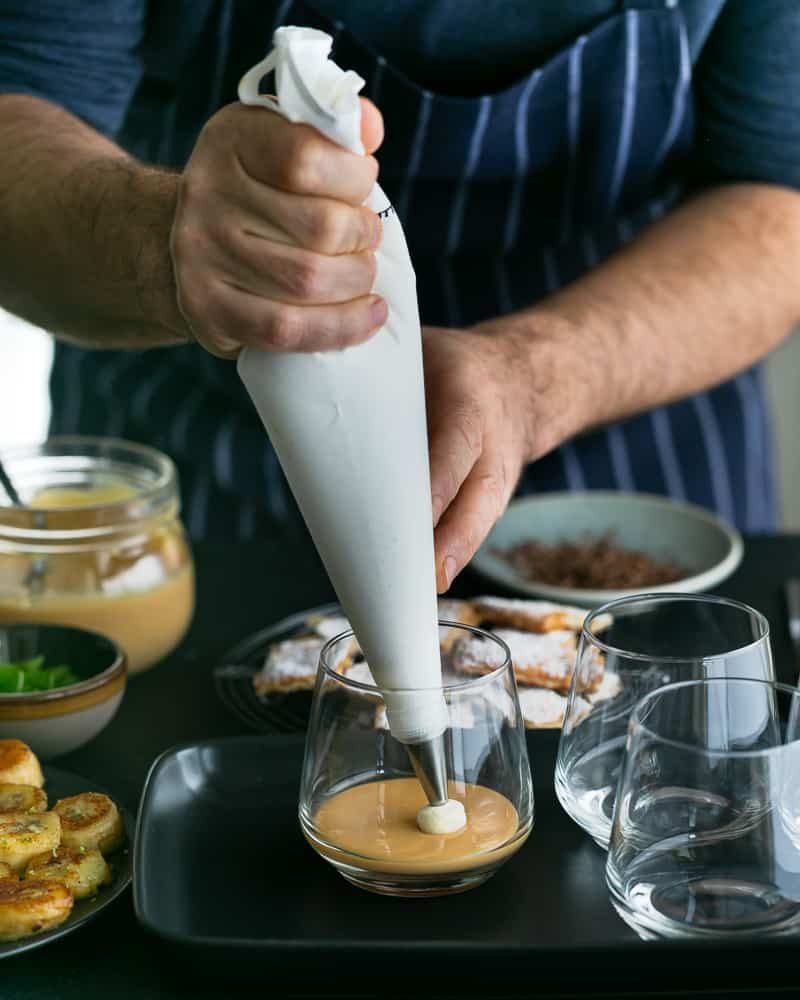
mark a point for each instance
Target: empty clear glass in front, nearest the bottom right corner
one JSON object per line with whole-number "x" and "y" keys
{"x": 706, "y": 835}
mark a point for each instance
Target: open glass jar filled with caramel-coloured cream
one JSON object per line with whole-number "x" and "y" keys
{"x": 98, "y": 543}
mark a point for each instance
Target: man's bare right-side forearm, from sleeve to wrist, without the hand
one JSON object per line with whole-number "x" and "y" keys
{"x": 697, "y": 297}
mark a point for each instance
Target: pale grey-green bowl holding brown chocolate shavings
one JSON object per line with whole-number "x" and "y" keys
{"x": 665, "y": 529}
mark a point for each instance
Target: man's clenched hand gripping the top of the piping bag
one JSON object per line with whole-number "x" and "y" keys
{"x": 271, "y": 244}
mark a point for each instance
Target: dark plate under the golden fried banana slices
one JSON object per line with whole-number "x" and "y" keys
{"x": 59, "y": 784}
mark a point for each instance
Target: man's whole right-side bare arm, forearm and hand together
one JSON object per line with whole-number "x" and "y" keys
{"x": 695, "y": 298}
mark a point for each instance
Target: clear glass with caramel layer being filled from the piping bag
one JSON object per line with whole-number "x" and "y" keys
{"x": 351, "y": 751}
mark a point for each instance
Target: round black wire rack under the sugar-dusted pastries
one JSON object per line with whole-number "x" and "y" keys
{"x": 233, "y": 678}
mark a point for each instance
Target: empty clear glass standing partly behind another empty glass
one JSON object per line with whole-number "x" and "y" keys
{"x": 627, "y": 649}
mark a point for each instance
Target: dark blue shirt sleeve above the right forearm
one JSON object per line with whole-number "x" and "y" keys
{"x": 747, "y": 89}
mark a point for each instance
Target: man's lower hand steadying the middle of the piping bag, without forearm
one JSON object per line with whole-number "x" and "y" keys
{"x": 480, "y": 390}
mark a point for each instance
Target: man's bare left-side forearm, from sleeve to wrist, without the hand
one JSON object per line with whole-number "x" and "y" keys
{"x": 86, "y": 230}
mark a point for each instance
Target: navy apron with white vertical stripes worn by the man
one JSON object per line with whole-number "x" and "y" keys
{"x": 504, "y": 198}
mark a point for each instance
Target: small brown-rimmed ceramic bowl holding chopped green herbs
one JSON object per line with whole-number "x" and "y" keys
{"x": 58, "y": 721}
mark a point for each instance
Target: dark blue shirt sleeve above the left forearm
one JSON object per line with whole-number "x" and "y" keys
{"x": 80, "y": 54}
